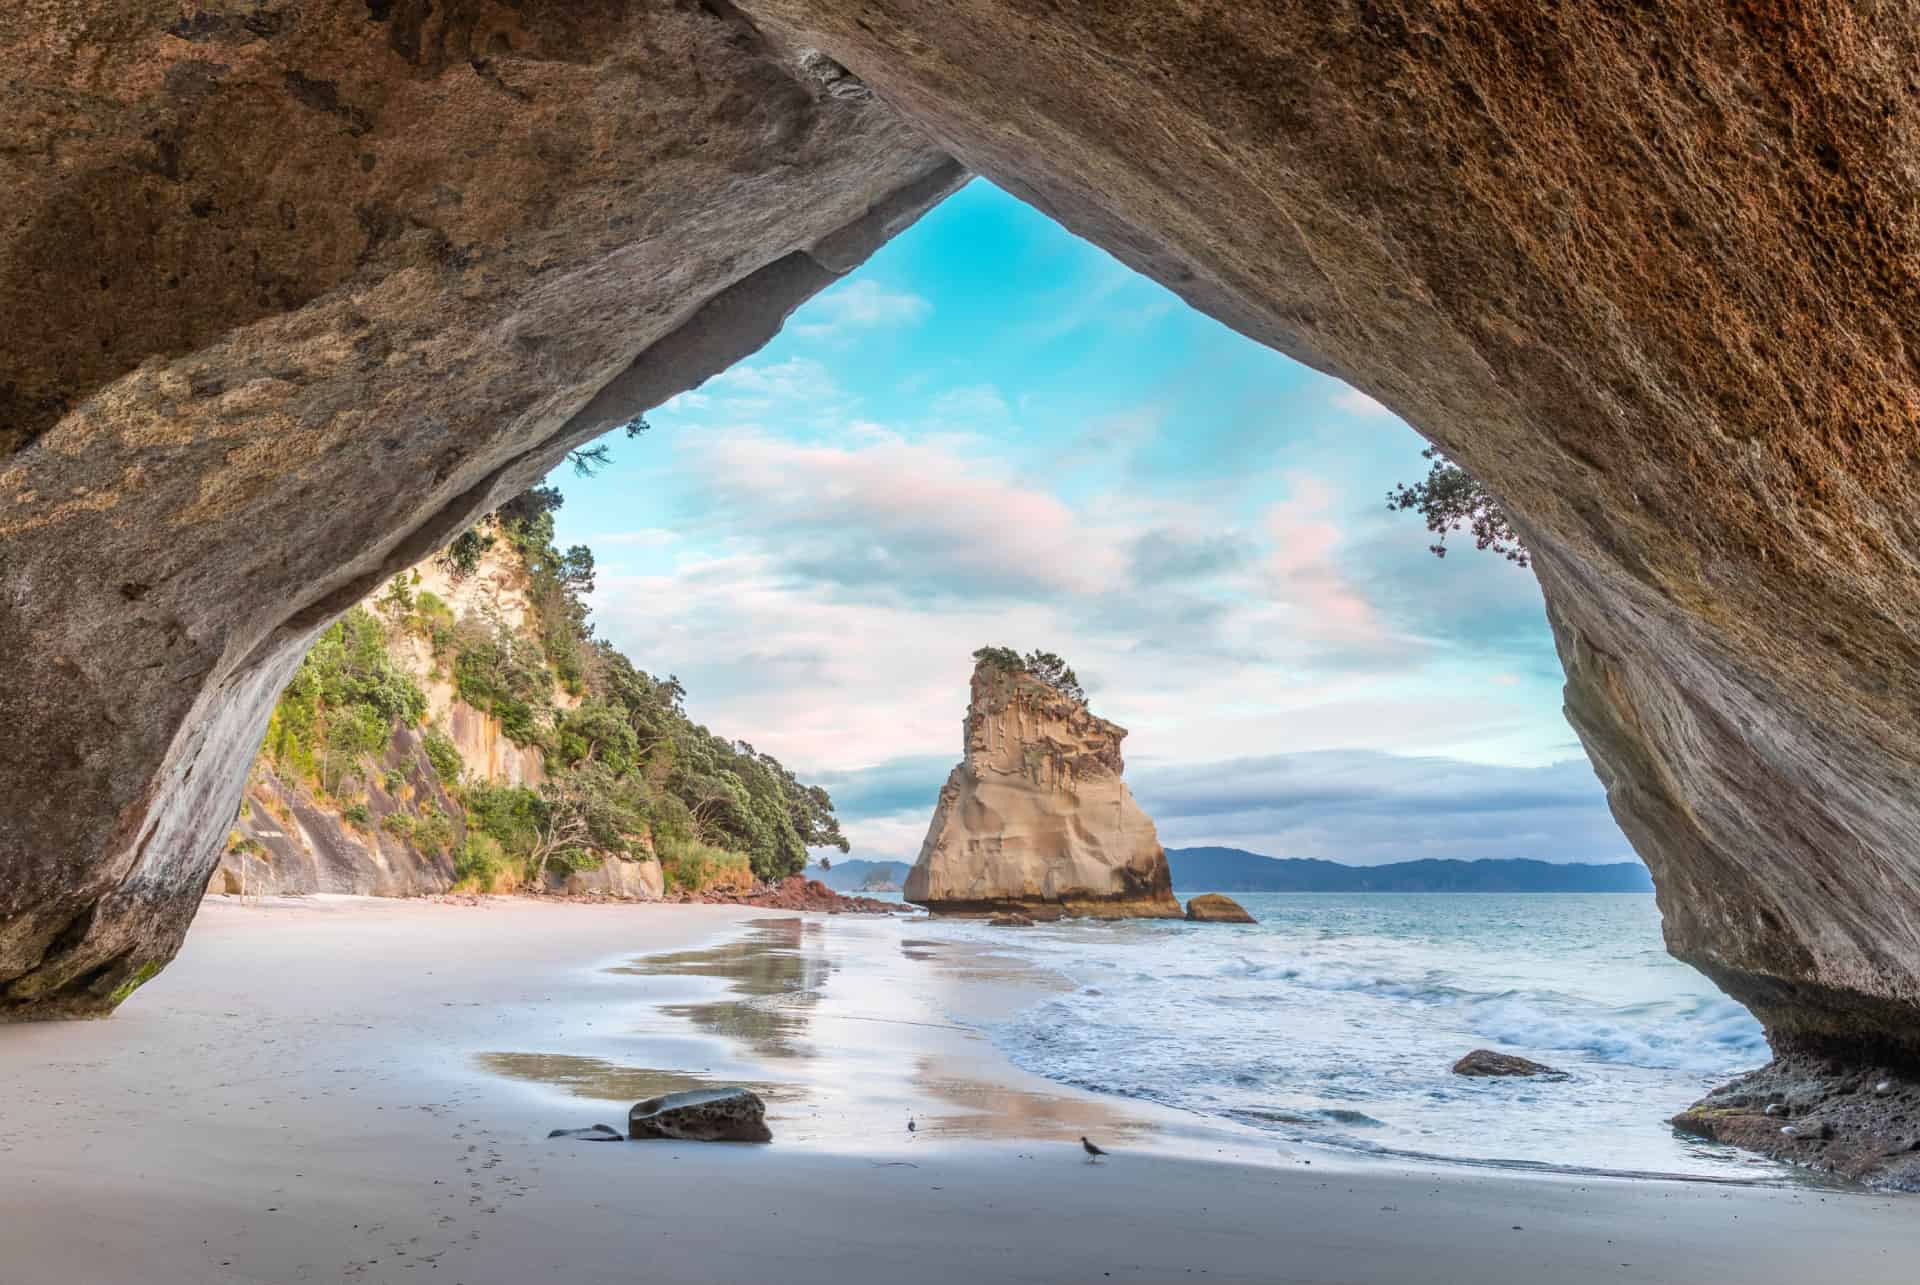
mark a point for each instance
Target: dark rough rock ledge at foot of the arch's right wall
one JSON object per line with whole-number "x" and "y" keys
{"x": 1861, "y": 1125}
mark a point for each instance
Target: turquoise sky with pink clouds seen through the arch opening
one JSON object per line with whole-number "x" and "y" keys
{"x": 996, "y": 433}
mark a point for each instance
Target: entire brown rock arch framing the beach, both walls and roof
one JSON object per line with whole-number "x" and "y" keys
{"x": 1648, "y": 274}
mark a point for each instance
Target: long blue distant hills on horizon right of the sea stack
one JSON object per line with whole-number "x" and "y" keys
{"x": 1234, "y": 871}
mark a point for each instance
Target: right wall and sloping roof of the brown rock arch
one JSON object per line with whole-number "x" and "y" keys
{"x": 1652, "y": 276}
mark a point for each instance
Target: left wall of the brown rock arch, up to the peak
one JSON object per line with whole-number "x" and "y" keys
{"x": 297, "y": 295}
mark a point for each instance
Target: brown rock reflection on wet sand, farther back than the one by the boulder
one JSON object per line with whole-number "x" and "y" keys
{"x": 779, "y": 969}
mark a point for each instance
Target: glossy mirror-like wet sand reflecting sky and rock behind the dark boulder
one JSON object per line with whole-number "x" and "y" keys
{"x": 848, "y": 1061}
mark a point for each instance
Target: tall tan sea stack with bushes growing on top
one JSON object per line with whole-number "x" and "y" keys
{"x": 1036, "y": 817}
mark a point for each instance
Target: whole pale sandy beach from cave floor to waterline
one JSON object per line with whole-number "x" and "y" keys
{"x": 362, "y": 1090}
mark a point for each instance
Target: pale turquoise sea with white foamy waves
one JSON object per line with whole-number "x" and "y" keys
{"x": 1337, "y": 1019}
